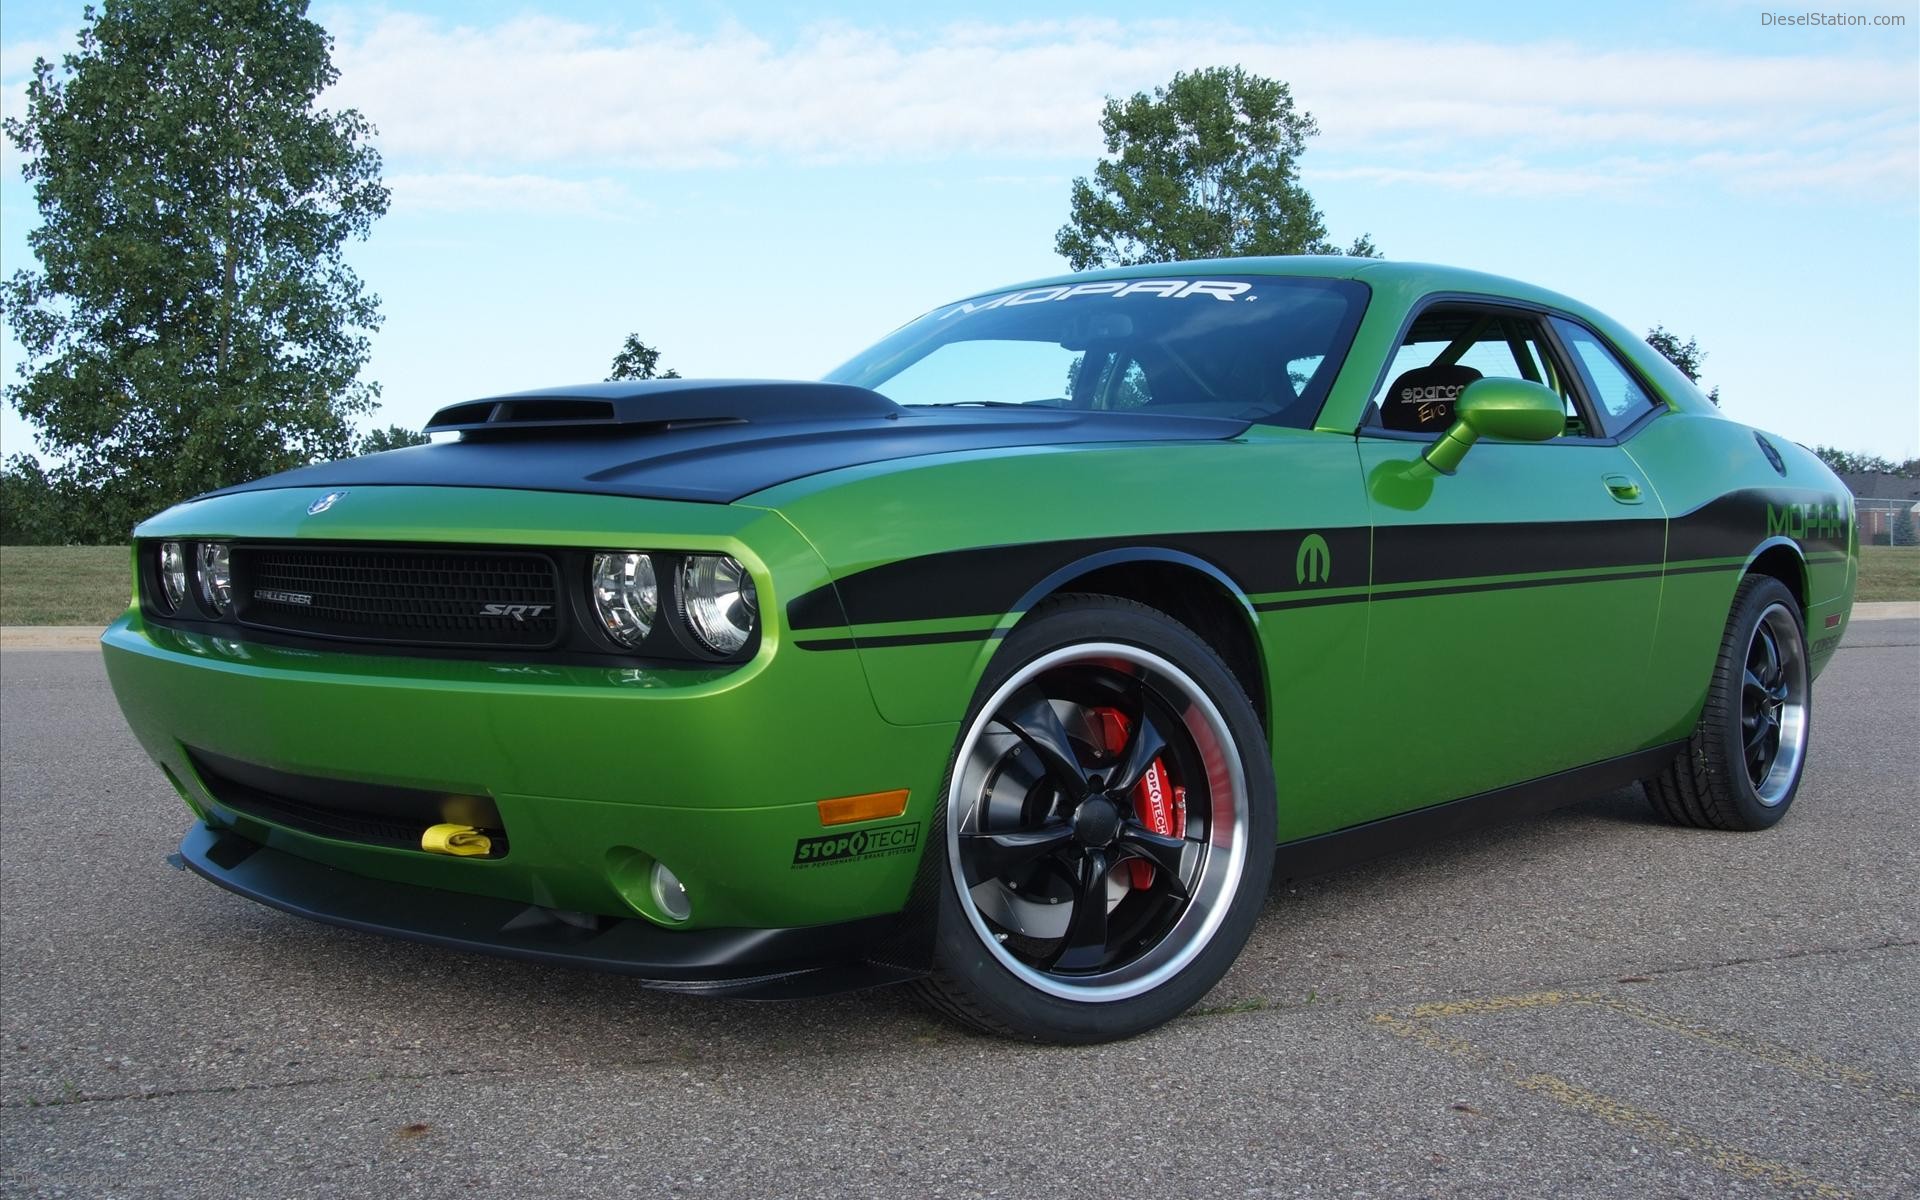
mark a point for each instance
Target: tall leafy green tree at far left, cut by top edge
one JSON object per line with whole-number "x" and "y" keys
{"x": 193, "y": 322}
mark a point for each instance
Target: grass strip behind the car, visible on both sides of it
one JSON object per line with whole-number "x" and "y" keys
{"x": 87, "y": 585}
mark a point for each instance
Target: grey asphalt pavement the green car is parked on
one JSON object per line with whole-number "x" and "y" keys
{"x": 1587, "y": 1003}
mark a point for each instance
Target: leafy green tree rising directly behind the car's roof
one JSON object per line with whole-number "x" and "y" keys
{"x": 1205, "y": 168}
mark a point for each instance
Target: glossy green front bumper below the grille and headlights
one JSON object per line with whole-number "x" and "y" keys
{"x": 594, "y": 773}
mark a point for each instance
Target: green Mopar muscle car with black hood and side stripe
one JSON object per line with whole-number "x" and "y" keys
{"x": 1013, "y": 660}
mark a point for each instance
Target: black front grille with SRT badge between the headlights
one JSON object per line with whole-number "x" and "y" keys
{"x": 400, "y": 596}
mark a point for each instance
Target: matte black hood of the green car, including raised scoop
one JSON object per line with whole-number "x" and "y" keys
{"x": 711, "y": 441}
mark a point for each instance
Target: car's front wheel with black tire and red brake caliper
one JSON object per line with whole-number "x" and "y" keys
{"x": 1118, "y": 967}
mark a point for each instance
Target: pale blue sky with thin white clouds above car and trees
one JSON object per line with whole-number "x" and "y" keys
{"x": 761, "y": 193}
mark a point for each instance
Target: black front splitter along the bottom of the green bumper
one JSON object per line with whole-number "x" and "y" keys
{"x": 759, "y": 965}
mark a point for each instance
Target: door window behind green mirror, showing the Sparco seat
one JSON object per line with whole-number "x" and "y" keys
{"x": 1452, "y": 347}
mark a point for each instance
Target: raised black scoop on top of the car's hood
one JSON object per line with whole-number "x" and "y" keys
{"x": 660, "y": 404}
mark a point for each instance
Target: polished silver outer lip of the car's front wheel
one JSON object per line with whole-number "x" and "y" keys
{"x": 1218, "y": 876}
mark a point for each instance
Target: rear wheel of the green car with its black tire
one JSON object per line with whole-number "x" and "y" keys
{"x": 1717, "y": 784}
